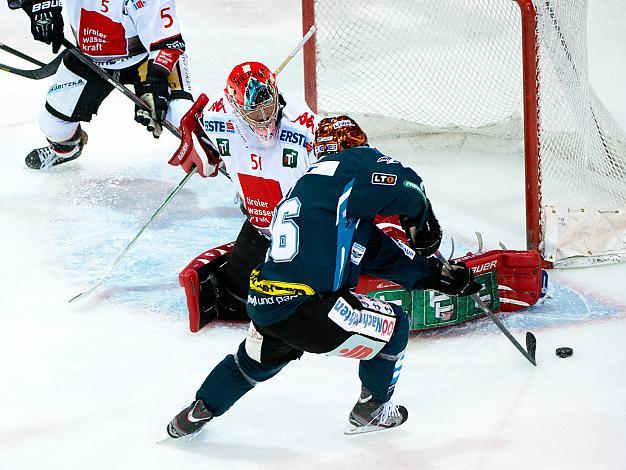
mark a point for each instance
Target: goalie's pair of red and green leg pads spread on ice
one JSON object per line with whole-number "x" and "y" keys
{"x": 512, "y": 280}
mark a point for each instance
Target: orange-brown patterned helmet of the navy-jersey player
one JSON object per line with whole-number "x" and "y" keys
{"x": 337, "y": 134}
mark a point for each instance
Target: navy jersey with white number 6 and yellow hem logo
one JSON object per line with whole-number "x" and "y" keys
{"x": 323, "y": 234}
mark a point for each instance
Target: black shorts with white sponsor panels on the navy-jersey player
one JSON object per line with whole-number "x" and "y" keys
{"x": 338, "y": 324}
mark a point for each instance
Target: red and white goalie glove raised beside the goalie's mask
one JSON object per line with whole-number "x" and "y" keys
{"x": 206, "y": 159}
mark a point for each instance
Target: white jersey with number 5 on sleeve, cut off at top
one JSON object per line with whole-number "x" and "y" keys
{"x": 119, "y": 33}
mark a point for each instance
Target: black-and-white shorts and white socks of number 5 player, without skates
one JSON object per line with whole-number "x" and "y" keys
{"x": 77, "y": 92}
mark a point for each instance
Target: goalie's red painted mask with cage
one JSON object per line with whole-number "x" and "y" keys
{"x": 251, "y": 90}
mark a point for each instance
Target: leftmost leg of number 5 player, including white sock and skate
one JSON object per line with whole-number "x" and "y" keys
{"x": 75, "y": 95}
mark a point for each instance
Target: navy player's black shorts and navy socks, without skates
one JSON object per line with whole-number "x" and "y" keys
{"x": 314, "y": 327}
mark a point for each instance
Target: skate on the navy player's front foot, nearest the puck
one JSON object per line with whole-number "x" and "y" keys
{"x": 369, "y": 415}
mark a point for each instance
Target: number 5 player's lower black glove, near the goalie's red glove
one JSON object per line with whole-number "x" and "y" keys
{"x": 155, "y": 92}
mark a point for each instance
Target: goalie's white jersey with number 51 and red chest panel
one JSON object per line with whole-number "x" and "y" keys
{"x": 262, "y": 174}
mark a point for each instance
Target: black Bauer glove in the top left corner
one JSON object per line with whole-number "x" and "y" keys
{"x": 46, "y": 21}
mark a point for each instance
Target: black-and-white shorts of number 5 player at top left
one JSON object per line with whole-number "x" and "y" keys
{"x": 77, "y": 92}
